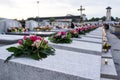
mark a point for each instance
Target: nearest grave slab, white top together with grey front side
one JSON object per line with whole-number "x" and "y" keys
{"x": 64, "y": 65}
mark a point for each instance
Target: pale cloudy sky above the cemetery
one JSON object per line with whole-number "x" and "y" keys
{"x": 23, "y": 9}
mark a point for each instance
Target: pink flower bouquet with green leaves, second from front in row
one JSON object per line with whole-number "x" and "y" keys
{"x": 61, "y": 37}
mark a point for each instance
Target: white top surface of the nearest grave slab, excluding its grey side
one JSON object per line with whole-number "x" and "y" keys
{"x": 66, "y": 62}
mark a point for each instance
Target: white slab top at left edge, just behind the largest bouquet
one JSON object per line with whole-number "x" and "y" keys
{"x": 10, "y": 37}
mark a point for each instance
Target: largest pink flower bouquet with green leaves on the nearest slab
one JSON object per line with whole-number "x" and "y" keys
{"x": 34, "y": 47}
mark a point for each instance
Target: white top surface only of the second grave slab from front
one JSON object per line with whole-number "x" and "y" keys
{"x": 81, "y": 45}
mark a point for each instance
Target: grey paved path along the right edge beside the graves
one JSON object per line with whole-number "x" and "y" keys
{"x": 115, "y": 42}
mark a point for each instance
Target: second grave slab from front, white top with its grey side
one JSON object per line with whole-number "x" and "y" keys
{"x": 79, "y": 46}
